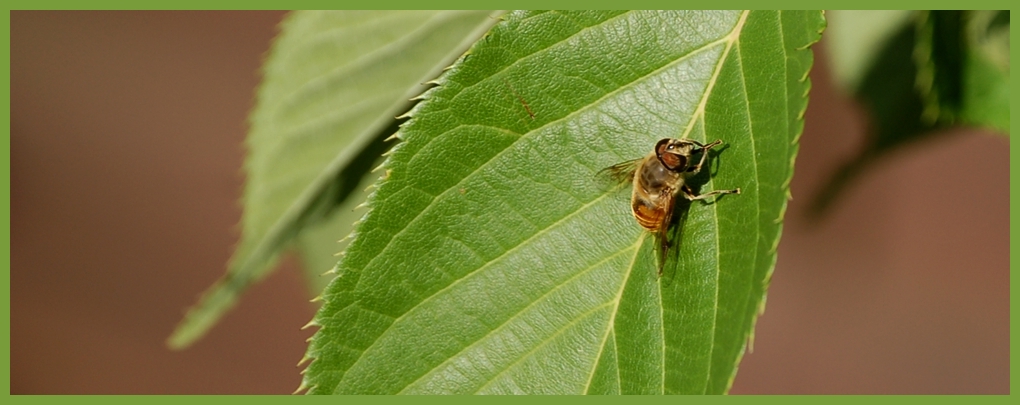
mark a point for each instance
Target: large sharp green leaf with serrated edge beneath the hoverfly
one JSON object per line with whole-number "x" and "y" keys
{"x": 493, "y": 262}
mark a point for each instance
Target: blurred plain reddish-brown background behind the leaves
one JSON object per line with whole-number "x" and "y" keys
{"x": 127, "y": 132}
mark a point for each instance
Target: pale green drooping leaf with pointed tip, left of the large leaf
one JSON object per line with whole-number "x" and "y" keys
{"x": 333, "y": 84}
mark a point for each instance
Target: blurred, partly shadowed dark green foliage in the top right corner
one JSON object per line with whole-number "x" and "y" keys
{"x": 919, "y": 74}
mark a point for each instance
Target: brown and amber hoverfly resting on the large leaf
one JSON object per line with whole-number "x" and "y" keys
{"x": 658, "y": 179}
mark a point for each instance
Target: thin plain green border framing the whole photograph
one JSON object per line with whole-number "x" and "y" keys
{"x": 450, "y": 5}
